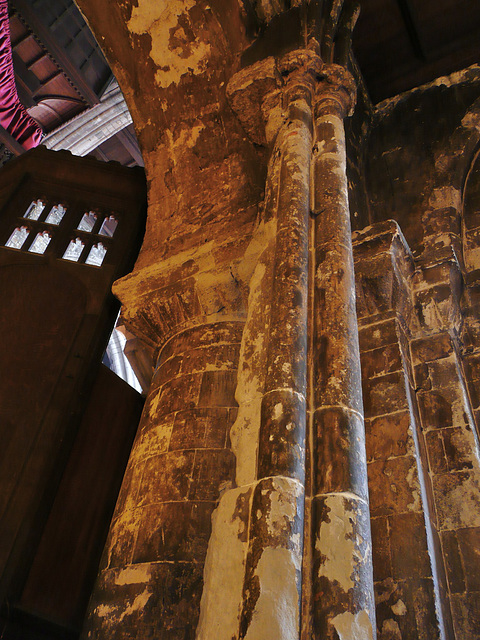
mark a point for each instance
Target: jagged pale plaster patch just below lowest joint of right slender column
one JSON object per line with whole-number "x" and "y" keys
{"x": 335, "y": 542}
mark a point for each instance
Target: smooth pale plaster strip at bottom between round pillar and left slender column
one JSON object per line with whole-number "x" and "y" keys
{"x": 224, "y": 571}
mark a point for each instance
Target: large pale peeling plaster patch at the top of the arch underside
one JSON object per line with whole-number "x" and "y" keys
{"x": 160, "y": 20}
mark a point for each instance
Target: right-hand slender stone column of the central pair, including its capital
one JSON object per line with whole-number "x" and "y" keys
{"x": 343, "y": 602}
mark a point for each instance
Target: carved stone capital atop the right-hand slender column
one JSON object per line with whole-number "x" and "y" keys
{"x": 336, "y": 92}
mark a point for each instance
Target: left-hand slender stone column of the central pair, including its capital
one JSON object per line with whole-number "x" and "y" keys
{"x": 272, "y": 586}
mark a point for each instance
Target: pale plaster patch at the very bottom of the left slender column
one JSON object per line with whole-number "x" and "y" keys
{"x": 277, "y": 611}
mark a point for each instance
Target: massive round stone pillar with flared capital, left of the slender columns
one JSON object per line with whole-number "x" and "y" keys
{"x": 151, "y": 576}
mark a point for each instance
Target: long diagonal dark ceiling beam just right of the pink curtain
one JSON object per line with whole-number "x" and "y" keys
{"x": 59, "y": 54}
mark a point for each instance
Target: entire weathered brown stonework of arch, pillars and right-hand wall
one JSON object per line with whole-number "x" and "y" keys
{"x": 312, "y": 419}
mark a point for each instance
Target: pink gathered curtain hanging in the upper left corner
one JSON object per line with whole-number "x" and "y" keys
{"x": 13, "y": 115}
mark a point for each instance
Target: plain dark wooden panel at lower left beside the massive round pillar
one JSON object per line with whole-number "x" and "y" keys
{"x": 65, "y": 566}
